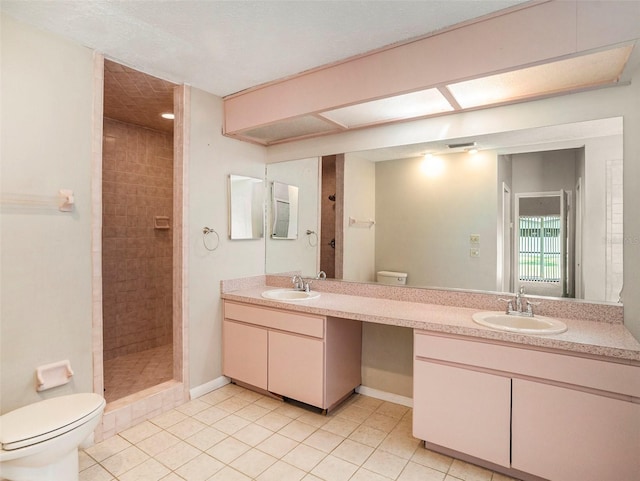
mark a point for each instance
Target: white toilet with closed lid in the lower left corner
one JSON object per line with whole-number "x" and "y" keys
{"x": 39, "y": 442}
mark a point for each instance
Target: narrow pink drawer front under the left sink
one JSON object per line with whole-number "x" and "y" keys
{"x": 305, "y": 324}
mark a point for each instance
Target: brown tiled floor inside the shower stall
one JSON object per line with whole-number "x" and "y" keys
{"x": 128, "y": 374}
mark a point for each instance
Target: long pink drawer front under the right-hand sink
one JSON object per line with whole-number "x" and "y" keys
{"x": 602, "y": 375}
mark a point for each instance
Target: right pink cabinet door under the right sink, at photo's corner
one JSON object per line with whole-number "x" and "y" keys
{"x": 566, "y": 435}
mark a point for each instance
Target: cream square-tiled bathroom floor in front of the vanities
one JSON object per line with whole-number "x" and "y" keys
{"x": 235, "y": 434}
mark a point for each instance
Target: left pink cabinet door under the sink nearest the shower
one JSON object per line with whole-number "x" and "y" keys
{"x": 244, "y": 353}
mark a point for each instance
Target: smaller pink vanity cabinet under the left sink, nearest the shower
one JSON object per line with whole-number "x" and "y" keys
{"x": 309, "y": 358}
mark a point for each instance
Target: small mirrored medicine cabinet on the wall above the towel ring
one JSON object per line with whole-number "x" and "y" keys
{"x": 246, "y": 207}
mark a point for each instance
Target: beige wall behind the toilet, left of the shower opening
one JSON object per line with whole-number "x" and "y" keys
{"x": 46, "y": 254}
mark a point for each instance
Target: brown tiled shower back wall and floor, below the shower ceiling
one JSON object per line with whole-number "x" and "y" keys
{"x": 137, "y": 195}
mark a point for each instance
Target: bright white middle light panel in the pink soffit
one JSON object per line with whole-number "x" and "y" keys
{"x": 406, "y": 106}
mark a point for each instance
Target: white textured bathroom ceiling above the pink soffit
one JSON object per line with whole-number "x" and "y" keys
{"x": 227, "y": 46}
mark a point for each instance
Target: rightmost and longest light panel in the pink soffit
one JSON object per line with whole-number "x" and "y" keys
{"x": 590, "y": 70}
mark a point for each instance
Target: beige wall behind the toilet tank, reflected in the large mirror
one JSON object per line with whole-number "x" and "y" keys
{"x": 433, "y": 217}
